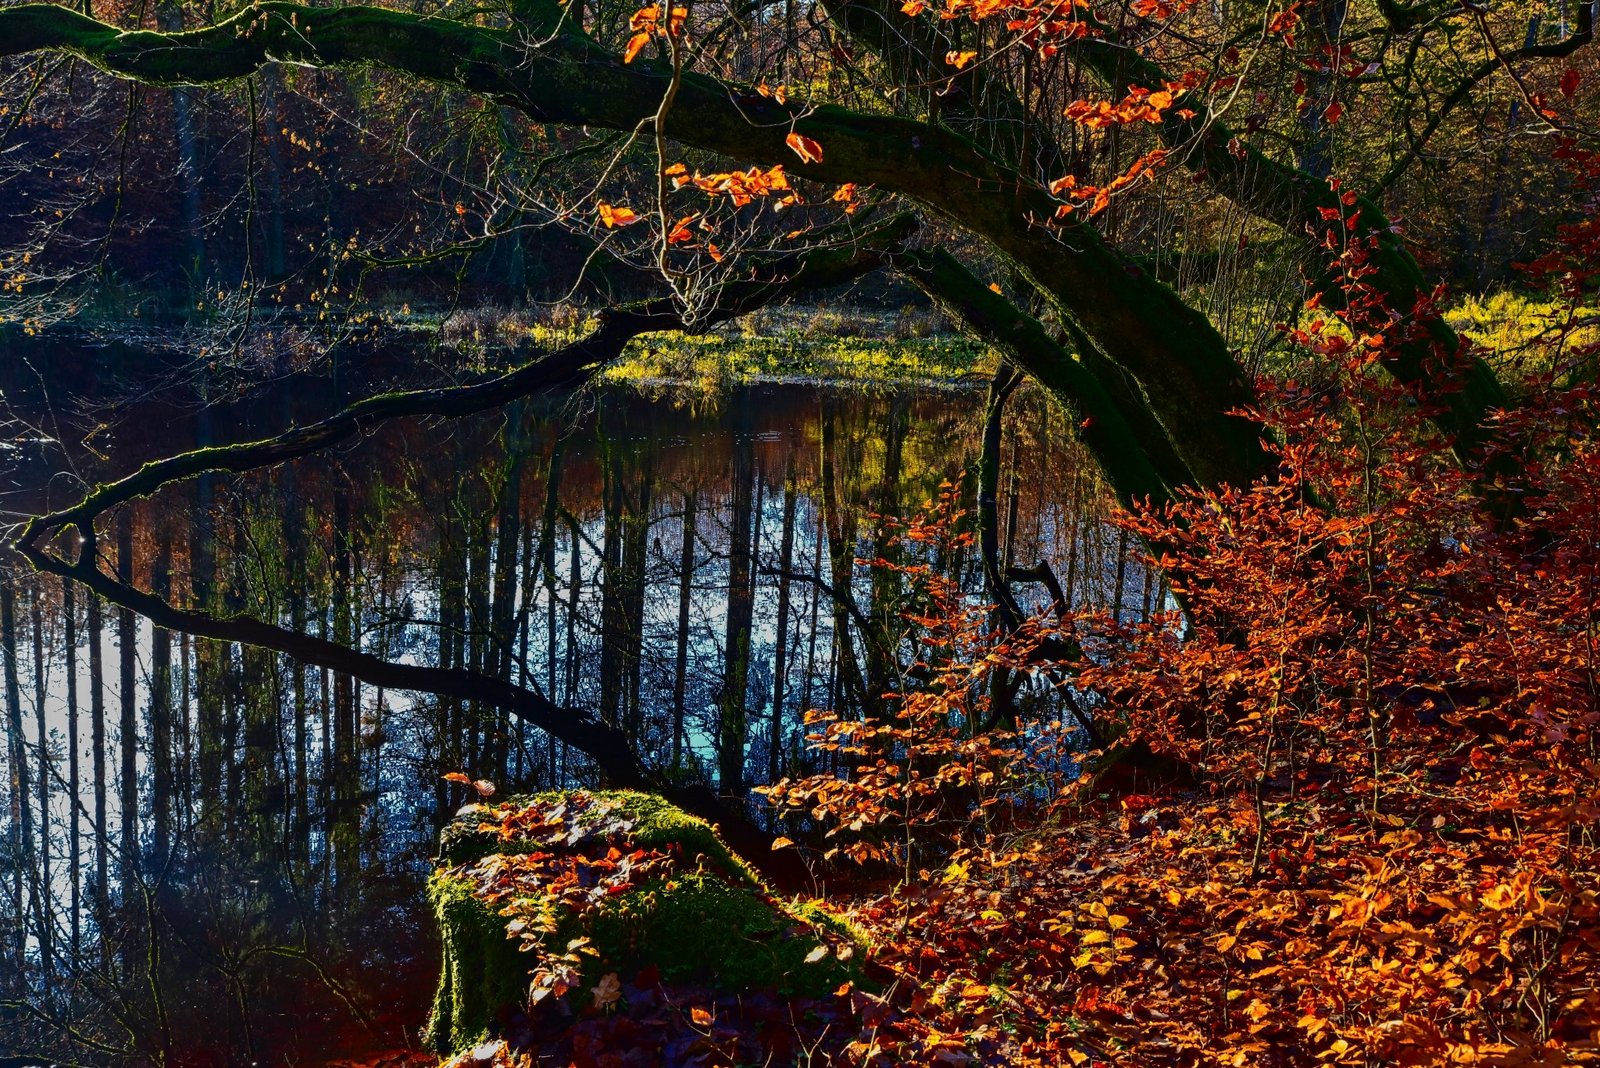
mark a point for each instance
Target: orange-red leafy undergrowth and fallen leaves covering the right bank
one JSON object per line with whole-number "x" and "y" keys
{"x": 1342, "y": 810}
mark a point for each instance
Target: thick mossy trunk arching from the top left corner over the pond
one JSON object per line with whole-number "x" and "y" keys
{"x": 551, "y": 73}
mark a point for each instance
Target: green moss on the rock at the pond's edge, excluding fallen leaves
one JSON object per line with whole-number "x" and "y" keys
{"x": 711, "y": 922}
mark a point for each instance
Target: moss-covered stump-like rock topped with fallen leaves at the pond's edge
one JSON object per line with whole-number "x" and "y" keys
{"x": 636, "y": 883}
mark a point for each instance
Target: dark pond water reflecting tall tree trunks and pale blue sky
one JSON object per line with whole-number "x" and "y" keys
{"x": 215, "y": 853}
